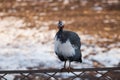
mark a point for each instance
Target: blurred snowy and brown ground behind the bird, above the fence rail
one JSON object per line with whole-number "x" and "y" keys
{"x": 28, "y": 27}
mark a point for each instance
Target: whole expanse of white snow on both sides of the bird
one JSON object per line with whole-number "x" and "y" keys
{"x": 22, "y": 47}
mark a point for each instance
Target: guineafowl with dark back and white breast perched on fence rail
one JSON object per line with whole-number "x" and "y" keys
{"x": 67, "y": 46}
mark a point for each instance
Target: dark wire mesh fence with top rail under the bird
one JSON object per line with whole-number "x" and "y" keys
{"x": 55, "y": 74}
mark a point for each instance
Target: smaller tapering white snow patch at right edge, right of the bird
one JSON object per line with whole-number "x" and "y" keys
{"x": 109, "y": 59}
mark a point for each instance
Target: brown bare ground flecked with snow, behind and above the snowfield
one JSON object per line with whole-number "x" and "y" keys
{"x": 96, "y": 17}
